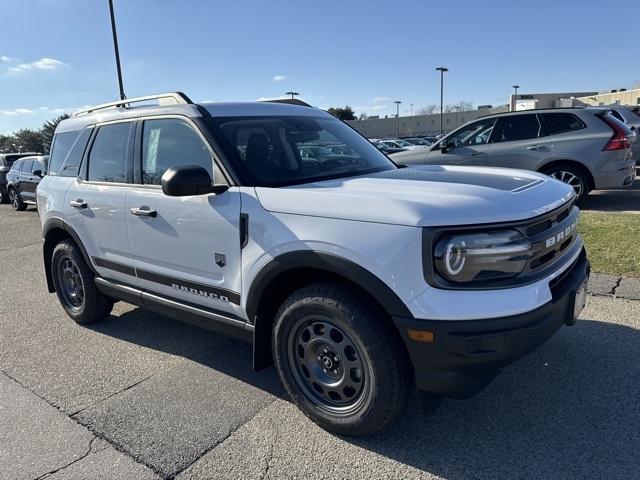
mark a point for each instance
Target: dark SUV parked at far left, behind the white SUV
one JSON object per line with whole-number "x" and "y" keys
{"x": 23, "y": 179}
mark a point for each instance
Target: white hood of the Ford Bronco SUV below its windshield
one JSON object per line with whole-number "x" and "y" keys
{"x": 421, "y": 196}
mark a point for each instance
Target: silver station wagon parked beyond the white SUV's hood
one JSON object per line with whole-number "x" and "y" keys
{"x": 587, "y": 148}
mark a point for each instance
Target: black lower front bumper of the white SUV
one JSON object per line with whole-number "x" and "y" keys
{"x": 465, "y": 356}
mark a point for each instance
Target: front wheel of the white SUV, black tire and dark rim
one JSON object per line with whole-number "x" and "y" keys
{"x": 338, "y": 361}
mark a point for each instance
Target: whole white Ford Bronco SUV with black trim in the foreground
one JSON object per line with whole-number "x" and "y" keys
{"x": 359, "y": 279}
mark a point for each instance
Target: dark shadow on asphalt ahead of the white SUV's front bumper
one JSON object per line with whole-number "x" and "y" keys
{"x": 569, "y": 410}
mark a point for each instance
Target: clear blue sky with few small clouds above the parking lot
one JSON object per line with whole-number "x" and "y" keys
{"x": 57, "y": 55}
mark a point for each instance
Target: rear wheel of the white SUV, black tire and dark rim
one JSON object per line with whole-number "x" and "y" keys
{"x": 75, "y": 286}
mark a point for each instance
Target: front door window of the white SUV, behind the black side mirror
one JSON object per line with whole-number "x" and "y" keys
{"x": 169, "y": 143}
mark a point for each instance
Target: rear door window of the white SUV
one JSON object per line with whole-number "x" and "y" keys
{"x": 108, "y": 156}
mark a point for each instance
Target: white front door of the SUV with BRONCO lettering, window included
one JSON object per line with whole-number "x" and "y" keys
{"x": 185, "y": 248}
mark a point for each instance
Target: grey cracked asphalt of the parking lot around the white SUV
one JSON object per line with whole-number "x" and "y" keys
{"x": 140, "y": 396}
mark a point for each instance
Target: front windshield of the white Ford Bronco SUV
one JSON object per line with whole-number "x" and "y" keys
{"x": 287, "y": 150}
